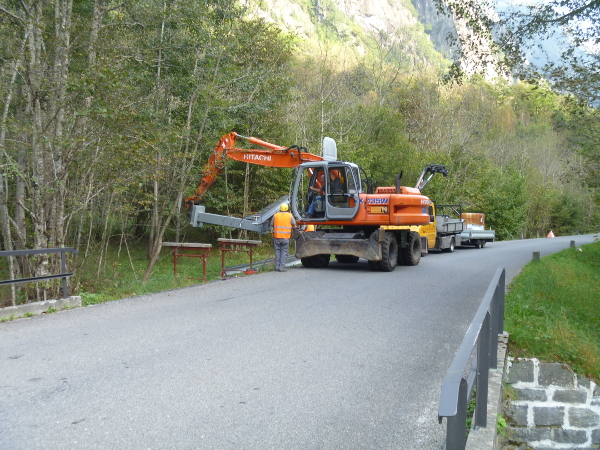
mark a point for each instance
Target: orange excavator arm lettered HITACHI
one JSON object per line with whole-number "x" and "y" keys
{"x": 271, "y": 155}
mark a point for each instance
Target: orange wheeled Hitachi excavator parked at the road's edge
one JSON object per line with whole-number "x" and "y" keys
{"x": 337, "y": 196}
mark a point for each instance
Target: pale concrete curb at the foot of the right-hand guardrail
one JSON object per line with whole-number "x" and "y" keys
{"x": 487, "y": 438}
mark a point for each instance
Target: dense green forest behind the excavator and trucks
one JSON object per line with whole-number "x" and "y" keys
{"x": 110, "y": 110}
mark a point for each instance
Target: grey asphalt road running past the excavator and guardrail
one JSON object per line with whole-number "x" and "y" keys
{"x": 338, "y": 358}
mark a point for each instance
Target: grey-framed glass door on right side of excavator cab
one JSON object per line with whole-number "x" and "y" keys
{"x": 342, "y": 192}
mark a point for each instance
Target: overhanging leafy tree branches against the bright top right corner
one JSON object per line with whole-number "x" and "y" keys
{"x": 514, "y": 32}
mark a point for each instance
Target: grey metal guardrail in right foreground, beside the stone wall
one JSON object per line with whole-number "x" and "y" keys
{"x": 483, "y": 333}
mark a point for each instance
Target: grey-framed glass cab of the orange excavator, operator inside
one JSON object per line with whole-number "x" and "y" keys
{"x": 326, "y": 190}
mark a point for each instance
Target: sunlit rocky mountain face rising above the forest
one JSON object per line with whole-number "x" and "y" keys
{"x": 415, "y": 25}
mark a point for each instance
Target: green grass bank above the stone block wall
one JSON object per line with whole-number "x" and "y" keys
{"x": 552, "y": 311}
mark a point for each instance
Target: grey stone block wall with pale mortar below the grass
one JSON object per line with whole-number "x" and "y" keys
{"x": 554, "y": 408}
